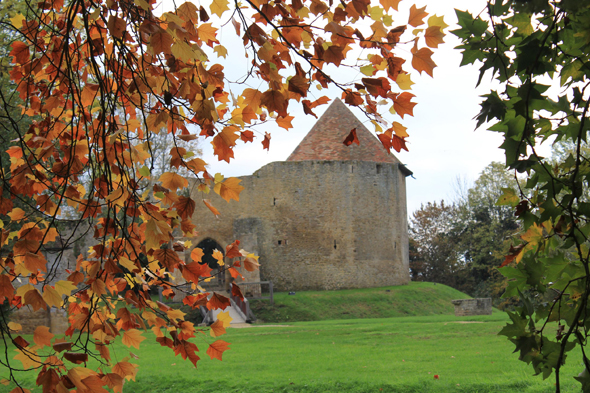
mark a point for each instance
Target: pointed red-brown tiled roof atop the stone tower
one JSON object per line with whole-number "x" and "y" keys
{"x": 325, "y": 140}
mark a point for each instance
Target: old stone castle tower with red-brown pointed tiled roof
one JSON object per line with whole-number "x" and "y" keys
{"x": 332, "y": 216}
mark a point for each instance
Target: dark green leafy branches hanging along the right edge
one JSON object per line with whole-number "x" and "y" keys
{"x": 539, "y": 53}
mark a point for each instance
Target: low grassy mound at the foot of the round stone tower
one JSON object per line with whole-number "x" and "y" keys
{"x": 415, "y": 299}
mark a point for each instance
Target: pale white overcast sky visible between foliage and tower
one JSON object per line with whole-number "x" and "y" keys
{"x": 443, "y": 142}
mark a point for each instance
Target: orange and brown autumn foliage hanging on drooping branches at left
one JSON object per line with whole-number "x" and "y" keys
{"x": 99, "y": 79}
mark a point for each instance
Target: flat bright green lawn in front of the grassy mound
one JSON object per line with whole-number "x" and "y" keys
{"x": 360, "y": 355}
